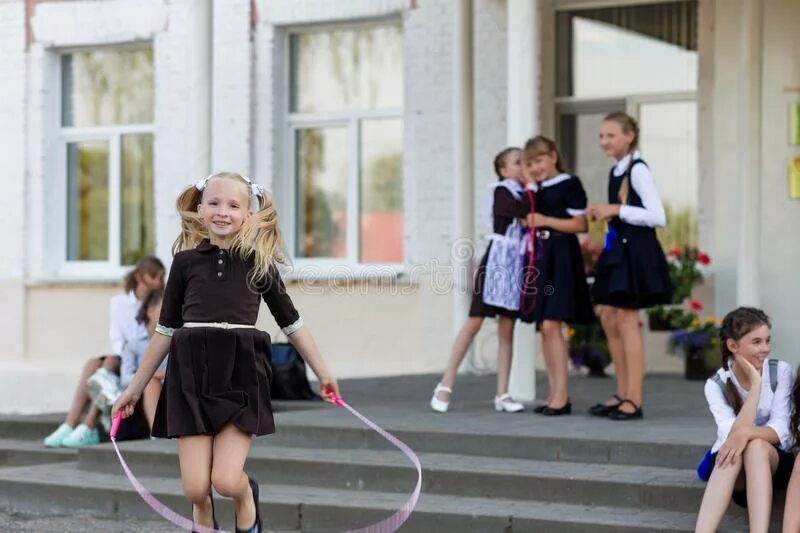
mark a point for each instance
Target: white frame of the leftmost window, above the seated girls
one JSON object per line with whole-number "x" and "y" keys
{"x": 112, "y": 267}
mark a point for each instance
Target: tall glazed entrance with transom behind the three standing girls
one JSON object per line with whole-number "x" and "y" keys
{"x": 643, "y": 60}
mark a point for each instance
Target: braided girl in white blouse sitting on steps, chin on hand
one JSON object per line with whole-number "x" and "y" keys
{"x": 749, "y": 398}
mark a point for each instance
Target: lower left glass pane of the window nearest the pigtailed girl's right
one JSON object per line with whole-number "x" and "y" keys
{"x": 321, "y": 170}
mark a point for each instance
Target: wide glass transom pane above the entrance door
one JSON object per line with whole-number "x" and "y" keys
{"x": 627, "y": 50}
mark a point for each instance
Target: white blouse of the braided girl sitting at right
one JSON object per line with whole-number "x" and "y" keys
{"x": 774, "y": 409}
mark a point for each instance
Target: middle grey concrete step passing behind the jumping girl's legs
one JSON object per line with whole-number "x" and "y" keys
{"x": 463, "y": 475}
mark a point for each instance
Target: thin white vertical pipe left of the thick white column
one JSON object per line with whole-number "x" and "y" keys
{"x": 463, "y": 182}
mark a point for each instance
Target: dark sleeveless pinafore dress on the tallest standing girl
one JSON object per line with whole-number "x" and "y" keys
{"x": 632, "y": 272}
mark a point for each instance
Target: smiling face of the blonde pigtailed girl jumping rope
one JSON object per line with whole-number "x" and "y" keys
{"x": 224, "y": 208}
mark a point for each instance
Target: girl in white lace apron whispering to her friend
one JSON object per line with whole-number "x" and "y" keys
{"x": 497, "y": 283}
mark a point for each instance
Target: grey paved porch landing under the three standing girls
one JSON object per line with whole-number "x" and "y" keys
{"x": 675, "y": 409}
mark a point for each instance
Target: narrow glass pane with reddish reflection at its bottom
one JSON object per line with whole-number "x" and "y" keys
{"x": 381, "y": 187}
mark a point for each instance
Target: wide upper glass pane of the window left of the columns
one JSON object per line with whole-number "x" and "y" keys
{"x": 360, "y": 68}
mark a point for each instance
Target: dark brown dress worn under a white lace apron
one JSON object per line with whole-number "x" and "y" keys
{"x": 505, "y": 208}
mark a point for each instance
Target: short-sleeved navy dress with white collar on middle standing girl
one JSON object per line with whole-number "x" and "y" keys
{"x": 559, "y": 290}
